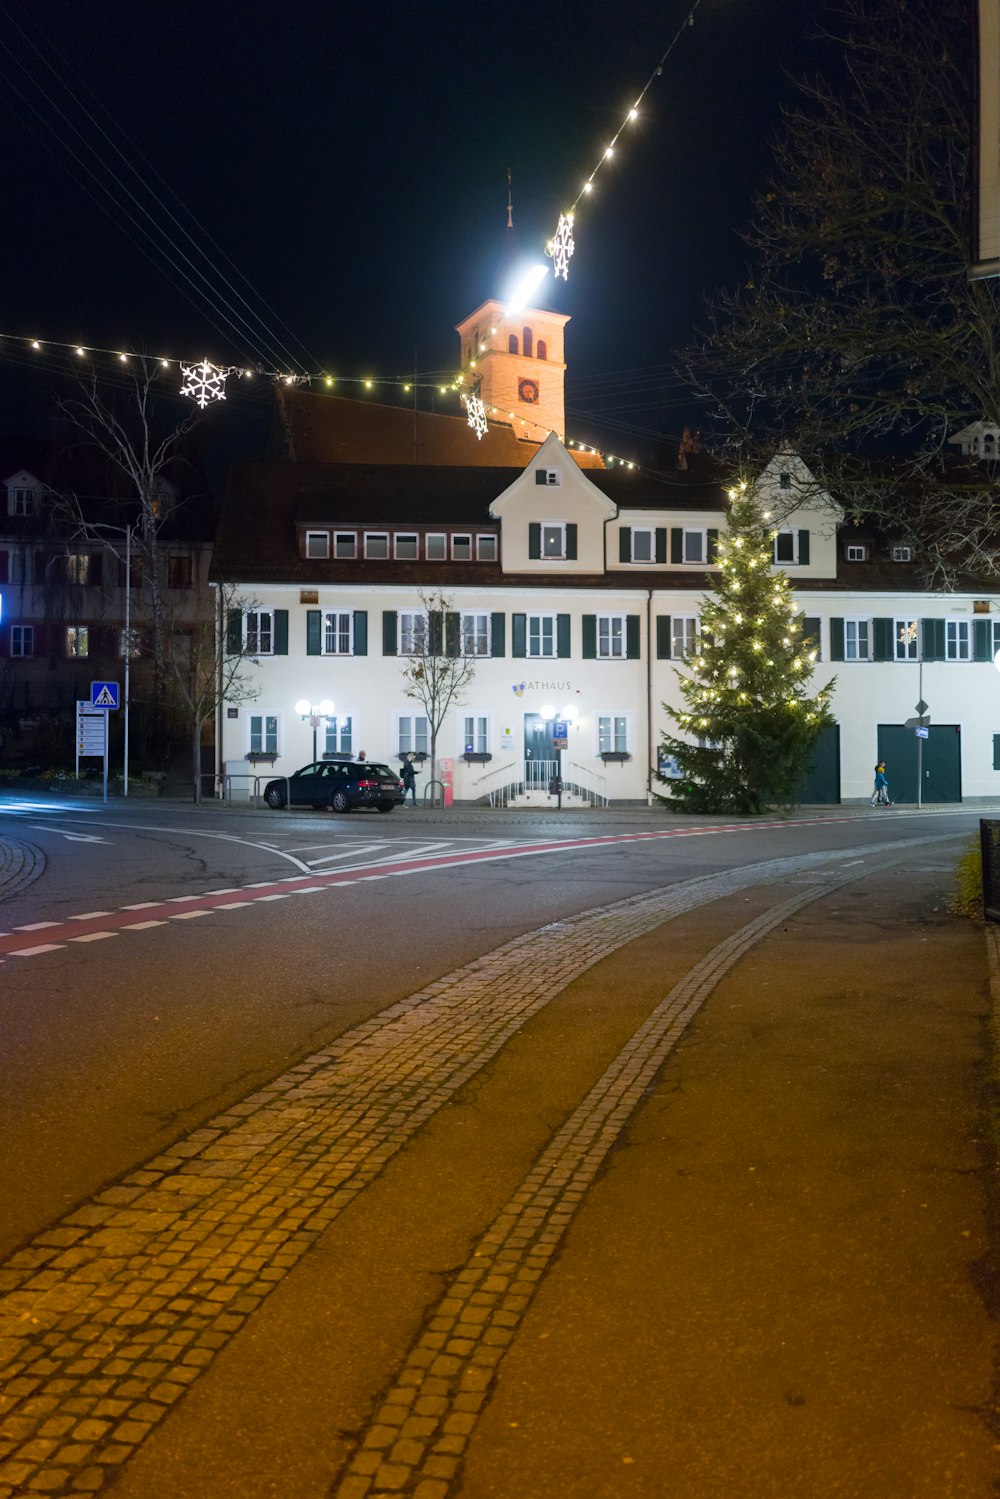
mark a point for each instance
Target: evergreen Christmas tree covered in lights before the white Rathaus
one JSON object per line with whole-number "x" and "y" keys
{"x": 749, "y": 723}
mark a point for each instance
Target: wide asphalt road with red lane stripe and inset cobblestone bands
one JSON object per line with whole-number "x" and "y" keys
{"x": 164, "y": 969}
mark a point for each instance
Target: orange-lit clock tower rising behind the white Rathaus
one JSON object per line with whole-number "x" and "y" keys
{"x": 518, "y": 358}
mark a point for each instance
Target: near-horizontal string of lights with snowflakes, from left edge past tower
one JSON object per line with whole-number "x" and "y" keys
{"x": 206, "y": 383}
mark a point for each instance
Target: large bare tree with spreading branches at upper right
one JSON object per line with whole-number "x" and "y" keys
{"x": 858, "y": 332}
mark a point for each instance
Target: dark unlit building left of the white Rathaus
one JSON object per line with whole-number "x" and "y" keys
{"x": 64, "y": 591}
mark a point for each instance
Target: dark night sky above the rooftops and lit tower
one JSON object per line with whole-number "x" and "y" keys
{"x": 352, "y": 164}
